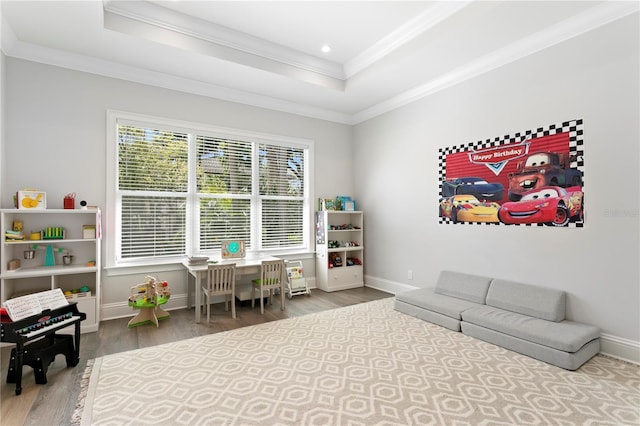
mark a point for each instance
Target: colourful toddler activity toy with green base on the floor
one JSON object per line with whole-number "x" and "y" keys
{"x": 147, "y": 297}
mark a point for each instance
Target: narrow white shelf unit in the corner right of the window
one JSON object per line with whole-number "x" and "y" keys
{"x": 339, "y": 250}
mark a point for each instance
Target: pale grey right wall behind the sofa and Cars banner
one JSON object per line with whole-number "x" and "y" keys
{"x": 595, "y": 77}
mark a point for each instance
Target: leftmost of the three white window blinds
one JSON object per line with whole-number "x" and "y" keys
{"x": 152, "y": 184}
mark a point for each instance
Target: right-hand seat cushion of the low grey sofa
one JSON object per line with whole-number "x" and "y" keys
{"x": 567, "y": 336}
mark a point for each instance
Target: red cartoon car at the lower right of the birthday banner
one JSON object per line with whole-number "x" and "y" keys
{"x": 550, "y": 205}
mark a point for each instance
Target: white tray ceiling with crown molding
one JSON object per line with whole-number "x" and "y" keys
{"x": 384, "y": 54}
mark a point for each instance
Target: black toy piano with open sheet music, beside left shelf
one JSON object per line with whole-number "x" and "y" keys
{"x": 37, "y": 342}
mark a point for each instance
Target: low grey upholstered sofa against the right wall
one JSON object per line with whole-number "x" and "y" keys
{"x": 521, "y": 317}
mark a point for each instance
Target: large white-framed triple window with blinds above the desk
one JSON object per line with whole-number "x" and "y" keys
{"x": 180, "y": 189}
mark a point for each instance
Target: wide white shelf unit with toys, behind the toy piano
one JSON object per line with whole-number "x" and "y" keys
{"x": 33, "y": 275}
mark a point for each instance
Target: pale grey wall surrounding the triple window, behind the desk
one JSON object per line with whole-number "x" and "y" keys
{"x": 55, "y": 142}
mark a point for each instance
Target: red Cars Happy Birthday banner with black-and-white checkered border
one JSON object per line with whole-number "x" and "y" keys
{"x": 533, "y": 177}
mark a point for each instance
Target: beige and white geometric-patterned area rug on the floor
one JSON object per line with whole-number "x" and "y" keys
{"x": 360, "y": 365}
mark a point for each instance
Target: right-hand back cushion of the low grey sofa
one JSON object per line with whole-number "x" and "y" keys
{"x": 527, "y": 299}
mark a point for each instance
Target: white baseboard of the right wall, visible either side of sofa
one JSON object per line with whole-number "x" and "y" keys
{"x": 613, "y": 346}
